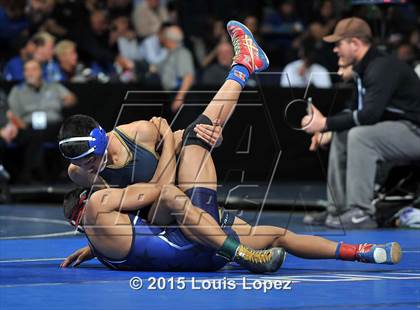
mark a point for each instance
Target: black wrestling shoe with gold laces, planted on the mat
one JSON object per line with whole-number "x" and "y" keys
{"x": 260, "y": 261}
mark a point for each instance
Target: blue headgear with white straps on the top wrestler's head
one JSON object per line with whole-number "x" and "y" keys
{"x": 97, "y": 140}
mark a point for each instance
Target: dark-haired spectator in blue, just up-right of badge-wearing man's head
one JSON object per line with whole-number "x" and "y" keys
{"x": 44, "y": 54}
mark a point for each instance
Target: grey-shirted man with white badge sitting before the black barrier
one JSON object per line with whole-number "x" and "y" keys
{"x": 36, "y": 106}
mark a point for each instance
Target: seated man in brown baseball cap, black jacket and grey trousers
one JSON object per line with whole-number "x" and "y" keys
{"x": 382, "y": 124}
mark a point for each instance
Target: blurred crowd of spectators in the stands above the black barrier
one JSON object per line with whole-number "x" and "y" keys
{"x": 178, "y": 43}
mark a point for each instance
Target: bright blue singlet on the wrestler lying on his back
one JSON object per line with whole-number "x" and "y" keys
{"x": 155, "y": 248}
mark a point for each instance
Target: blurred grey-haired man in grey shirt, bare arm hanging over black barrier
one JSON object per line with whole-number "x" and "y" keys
{"x": 177, "y": 70}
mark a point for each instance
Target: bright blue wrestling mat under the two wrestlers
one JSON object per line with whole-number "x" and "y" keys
{"x": 35, "y": 239}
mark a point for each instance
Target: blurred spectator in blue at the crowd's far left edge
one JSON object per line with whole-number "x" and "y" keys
{"x": 13, "y": 70}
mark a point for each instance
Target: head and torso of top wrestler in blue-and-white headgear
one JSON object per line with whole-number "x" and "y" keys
{"x": 89, "y": 148}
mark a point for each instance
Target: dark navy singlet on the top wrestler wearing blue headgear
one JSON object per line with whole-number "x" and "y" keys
{"x": 140, "y": 168}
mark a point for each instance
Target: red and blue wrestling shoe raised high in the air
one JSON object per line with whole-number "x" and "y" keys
{"x": 247, "y": 51}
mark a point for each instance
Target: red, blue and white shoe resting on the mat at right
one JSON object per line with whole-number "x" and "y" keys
{"x": 389, "y": 253}
